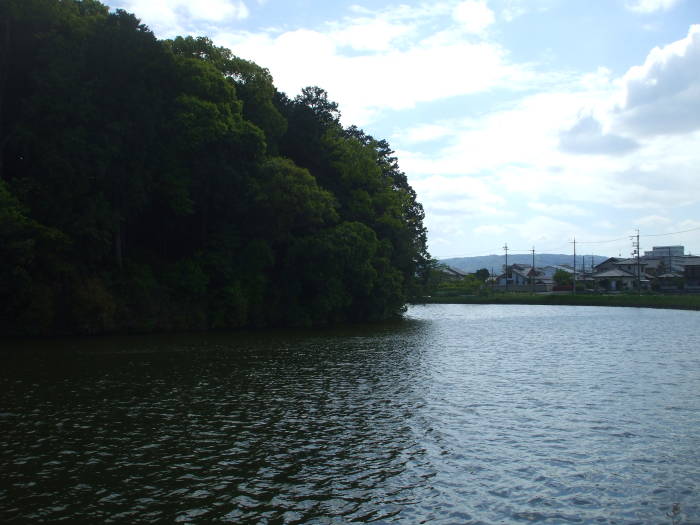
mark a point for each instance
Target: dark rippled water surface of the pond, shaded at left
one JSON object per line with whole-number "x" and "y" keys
{"x": 458, "y": 414}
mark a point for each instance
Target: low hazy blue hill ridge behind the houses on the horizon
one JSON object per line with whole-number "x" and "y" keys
{"x": 496, "y": 262}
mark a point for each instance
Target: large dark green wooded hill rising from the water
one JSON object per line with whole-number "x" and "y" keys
{"x": 156, "y": 185}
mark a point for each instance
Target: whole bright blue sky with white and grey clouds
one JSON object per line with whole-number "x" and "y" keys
{"x": 529, "y": 123}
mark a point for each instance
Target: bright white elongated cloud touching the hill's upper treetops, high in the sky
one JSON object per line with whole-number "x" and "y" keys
{"x": 397, "y": 79}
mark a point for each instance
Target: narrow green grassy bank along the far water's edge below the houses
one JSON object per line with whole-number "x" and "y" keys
{"x": 682, "y": 302}
